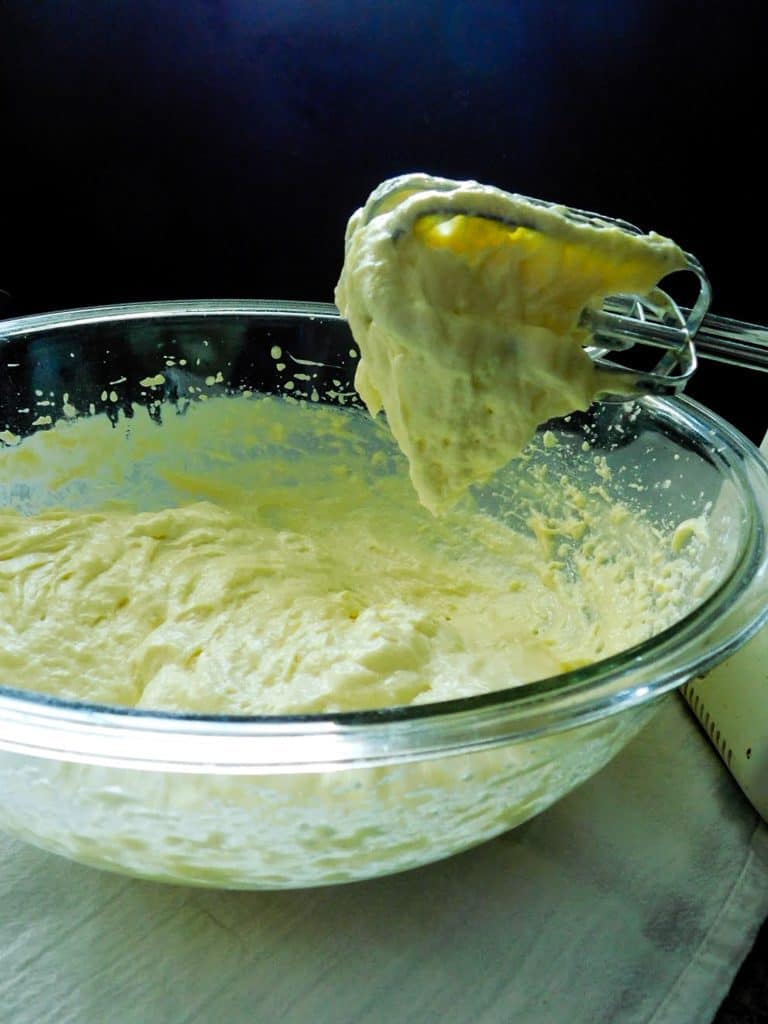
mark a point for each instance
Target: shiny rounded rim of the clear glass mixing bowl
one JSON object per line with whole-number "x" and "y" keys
{"x": 45, "y": 727}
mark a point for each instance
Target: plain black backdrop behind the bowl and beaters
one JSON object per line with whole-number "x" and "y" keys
{"x": 216, "y": 148}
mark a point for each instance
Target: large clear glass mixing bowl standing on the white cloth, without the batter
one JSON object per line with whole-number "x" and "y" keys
{"x": 305, "y": 800}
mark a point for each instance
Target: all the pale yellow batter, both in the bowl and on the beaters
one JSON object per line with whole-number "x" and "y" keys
{"x": 259, "y": 557}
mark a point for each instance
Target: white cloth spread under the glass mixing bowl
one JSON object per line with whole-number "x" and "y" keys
{"x": 634, "y": 900}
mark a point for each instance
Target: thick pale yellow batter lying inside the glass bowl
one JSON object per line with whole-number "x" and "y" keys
{"x": 260, "y": 557}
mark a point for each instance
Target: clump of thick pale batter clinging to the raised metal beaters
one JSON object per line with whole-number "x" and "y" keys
{"x": 465, "y": 303}
